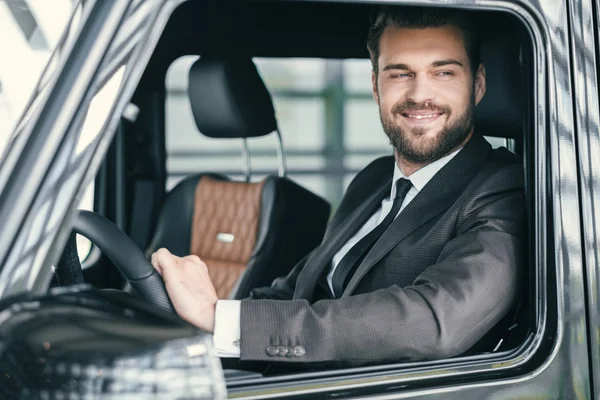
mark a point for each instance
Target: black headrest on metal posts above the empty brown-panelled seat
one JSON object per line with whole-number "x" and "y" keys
{"x": 229, "y": 99}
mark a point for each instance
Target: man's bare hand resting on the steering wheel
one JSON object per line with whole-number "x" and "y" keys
{"x": 189, "y": 287}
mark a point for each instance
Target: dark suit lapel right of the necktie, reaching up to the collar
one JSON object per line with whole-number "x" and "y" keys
{"x": 435, "y": 197}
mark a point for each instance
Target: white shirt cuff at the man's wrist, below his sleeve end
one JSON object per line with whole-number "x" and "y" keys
{"x": 226, "y": 337}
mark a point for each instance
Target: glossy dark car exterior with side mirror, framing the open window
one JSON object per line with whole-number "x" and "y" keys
{"x": 80, "y": 341}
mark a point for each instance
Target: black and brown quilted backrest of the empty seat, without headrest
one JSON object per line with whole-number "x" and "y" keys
{"x": 290, "y": 222}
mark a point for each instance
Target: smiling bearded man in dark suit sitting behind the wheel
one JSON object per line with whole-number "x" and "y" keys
{"x": 422, "y": 257}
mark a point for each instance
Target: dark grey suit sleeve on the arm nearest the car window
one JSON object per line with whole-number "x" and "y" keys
{"x": 450, "y": 306}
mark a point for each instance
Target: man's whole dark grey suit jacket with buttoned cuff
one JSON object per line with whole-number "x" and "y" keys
{"x": 441, "y": 276}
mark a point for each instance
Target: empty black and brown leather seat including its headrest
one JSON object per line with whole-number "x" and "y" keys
{"x": 247, "y": 233}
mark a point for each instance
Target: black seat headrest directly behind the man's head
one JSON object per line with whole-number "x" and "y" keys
{"x": 501, "y": 111}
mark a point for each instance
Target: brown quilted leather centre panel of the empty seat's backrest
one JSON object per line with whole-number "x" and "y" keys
{"x": 225, "y": 207}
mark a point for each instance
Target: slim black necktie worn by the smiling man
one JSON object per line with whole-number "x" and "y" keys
{"x": 352, "y": 259}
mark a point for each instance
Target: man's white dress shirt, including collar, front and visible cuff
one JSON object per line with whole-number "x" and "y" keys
{"x": 226, "y": 336}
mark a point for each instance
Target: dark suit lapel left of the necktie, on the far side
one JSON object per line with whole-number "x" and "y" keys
{"x": 334, "y": 240}
